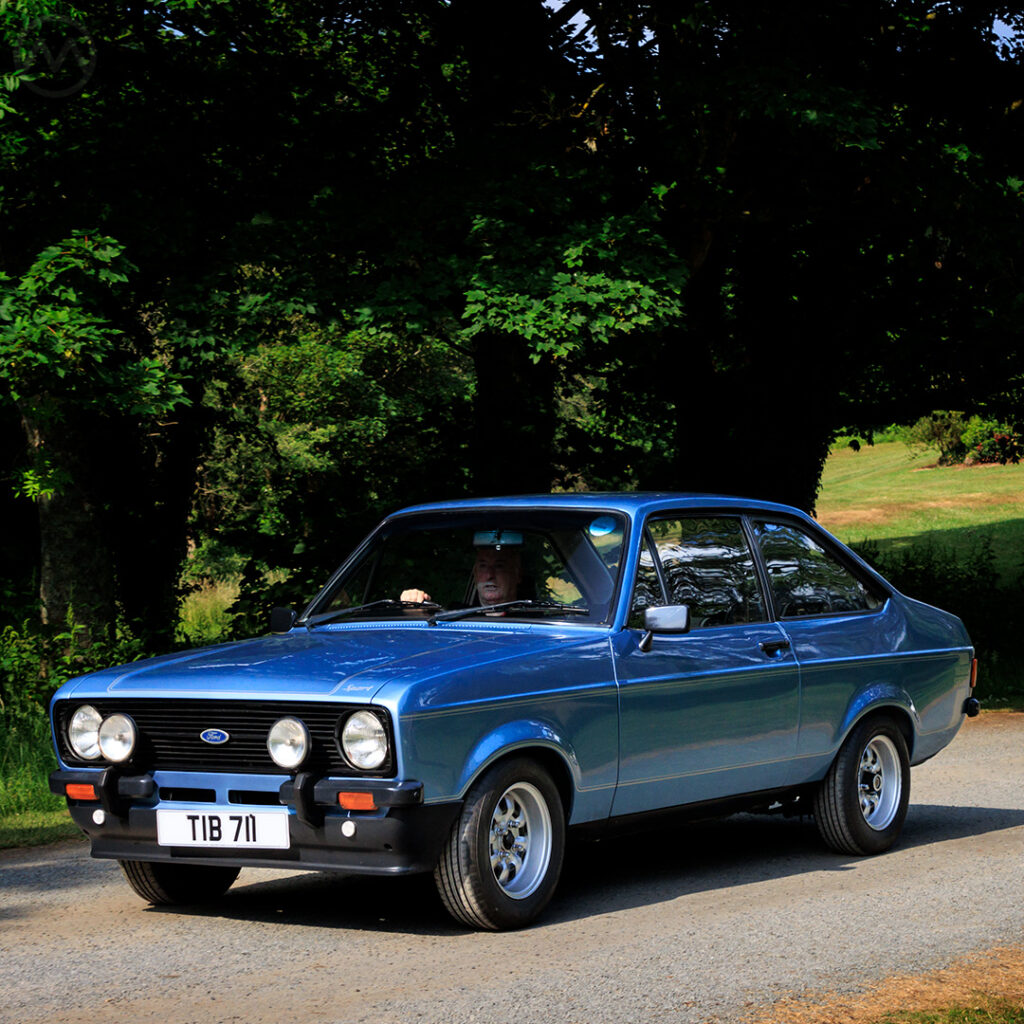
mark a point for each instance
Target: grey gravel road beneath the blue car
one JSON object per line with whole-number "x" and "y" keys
{"x": 699, "y": 923}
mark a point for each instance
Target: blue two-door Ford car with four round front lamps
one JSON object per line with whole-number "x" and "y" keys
{"x": 482, "y": 676}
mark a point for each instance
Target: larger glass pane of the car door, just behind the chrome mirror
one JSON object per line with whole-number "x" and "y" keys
{"x": 709, "y": 567}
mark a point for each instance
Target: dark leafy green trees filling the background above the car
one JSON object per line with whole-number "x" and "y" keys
{"x": 272, "y": 270}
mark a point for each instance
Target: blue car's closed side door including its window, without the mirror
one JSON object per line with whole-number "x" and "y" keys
{"x": 712, "y": 713}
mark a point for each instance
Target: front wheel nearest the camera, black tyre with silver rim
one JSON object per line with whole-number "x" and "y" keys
{"x": 503, "y": 859}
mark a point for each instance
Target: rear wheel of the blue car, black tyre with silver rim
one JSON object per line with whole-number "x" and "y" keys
{"x": 862, "y": 803}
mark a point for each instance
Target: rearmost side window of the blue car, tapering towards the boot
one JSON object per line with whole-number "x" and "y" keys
{"x": 805, "y": 579}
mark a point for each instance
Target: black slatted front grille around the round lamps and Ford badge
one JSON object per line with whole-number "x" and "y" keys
{"x": 169, "y": 735}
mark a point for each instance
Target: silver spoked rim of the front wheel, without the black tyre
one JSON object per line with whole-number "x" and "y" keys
{"x": 521, "y": 840}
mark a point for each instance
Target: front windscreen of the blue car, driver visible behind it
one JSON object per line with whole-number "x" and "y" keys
{"x": 537, "y": 566}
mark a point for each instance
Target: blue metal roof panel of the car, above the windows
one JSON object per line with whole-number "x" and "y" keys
{"x": 633, "y": 503}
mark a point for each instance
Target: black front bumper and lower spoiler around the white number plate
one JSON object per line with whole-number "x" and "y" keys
{"x": 402, "y": 836}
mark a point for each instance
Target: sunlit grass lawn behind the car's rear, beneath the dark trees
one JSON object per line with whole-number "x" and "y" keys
{"x": 888, "y": 494}
